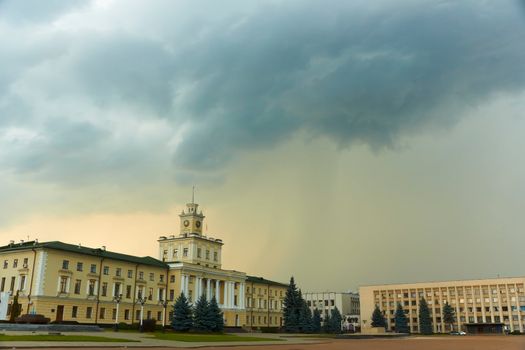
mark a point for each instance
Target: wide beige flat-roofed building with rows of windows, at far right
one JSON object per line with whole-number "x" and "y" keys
{"x": 481, "y": 305}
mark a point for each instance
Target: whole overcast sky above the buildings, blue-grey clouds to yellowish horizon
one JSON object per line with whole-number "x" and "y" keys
{"x": 343, "y": 142}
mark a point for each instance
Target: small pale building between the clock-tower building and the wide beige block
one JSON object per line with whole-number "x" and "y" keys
{"x": 347, "y": 304}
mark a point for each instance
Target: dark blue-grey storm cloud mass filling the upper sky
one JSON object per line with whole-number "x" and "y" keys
{"x": 239, "y": 77}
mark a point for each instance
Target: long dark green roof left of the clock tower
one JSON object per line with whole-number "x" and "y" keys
{"x": 72, "y": 248}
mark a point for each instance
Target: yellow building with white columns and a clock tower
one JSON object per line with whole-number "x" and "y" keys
{"x": 74, "y": 283}
